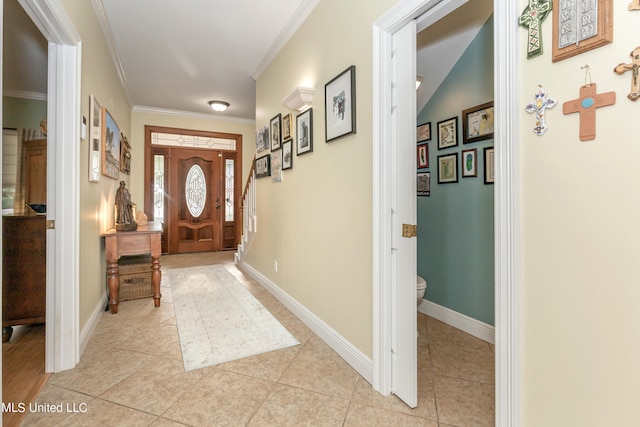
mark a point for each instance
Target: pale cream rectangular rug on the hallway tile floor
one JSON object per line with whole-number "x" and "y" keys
{"x": 219, "y": 319}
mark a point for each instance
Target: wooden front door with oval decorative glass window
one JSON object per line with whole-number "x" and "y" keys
{"x": 194, "y": 201}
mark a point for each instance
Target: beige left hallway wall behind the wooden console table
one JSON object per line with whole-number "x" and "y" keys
{"x": 96, "y": 199}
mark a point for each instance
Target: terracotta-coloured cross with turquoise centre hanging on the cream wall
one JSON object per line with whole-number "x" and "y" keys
{"x": 586, "y": 105}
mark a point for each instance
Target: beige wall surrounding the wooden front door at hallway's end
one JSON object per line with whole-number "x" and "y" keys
{"x": 140, "y": 119}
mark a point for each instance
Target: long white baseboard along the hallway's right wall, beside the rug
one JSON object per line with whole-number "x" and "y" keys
{"x": 354, "y": 357}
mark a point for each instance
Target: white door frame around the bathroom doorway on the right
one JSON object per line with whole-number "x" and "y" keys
{"x": 506, "y": 194}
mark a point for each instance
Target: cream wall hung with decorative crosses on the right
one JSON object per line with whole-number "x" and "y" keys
{"x": 580, "y": 241}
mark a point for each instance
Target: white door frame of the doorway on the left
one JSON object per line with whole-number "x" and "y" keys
{"x": 62, "y": 350}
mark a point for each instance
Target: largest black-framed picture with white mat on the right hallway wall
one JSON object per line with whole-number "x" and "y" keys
{"x": 340, "y": 105}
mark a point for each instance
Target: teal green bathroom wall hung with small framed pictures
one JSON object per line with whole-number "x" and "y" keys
{"x": 455, "y": 223}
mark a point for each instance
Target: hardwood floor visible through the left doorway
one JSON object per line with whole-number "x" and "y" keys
{"x": 23, "y": 373}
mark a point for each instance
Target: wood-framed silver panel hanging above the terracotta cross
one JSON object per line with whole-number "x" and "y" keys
{"x": 580, "y": 26}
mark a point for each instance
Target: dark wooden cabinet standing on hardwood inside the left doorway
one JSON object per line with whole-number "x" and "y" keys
{"x": 23, "y": 271}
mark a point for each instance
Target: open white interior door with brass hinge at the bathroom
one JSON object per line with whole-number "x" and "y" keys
{"x": 404, "y": 381}
